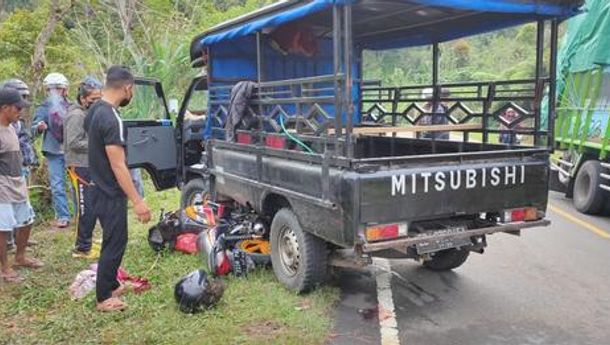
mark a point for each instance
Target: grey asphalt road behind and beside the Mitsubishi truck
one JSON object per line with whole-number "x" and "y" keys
{"x": 549, "y": 286}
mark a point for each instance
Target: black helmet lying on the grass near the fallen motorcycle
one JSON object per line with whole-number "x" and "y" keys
{"x": 196, "y": 292}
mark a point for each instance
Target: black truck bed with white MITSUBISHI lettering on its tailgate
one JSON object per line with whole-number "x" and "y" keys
{"x": 389, "y": 180}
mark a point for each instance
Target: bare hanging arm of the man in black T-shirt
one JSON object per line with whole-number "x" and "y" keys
{"x": 116, "y": 157}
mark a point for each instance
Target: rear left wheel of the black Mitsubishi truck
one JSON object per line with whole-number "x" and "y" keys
{"x": 311, "y": 266}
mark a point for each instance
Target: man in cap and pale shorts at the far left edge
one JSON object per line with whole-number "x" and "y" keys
{"x": 15, "y": 210}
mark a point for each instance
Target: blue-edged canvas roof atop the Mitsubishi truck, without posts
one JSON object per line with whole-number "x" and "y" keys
{"x": 379, "y": 24}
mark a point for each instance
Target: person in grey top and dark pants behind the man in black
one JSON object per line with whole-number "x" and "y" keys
{"x": 76, "y": 155}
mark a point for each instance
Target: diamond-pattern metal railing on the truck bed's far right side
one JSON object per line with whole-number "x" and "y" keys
{"x": 467, "y": 103}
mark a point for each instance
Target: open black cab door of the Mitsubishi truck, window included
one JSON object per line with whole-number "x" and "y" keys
{"x": 151, "y": 140}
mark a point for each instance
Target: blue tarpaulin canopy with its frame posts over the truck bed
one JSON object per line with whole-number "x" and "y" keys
{"x": 345, "y": 28}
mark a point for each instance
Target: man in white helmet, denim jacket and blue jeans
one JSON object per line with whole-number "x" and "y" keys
{"x": 48, "y": 122}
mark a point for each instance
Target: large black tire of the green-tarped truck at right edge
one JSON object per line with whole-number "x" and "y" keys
{"x": 588, "y": 197}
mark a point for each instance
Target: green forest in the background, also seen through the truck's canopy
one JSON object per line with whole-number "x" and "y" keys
{"x": 84, "y": 37}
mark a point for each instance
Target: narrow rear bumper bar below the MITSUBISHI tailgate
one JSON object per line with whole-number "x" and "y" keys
{"x": 403, "y": 243}
